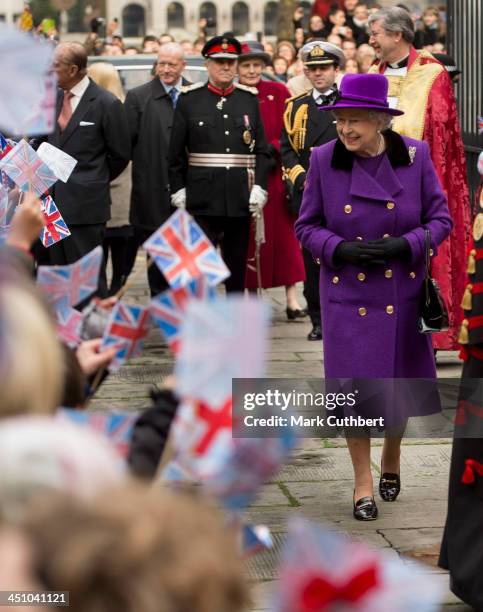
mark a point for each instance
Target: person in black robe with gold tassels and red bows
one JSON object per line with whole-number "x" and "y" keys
{"x": 462, "y": 548}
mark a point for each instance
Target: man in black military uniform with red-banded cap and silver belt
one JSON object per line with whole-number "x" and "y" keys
{"x": 219, "y": 162}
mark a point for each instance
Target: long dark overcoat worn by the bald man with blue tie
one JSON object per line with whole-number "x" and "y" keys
{"x": 150, "y": 116}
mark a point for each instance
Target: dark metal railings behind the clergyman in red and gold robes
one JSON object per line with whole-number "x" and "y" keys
{"x": 465, "y": 44}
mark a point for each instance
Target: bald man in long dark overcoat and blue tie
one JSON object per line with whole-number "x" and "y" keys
{"x": 150, "y": 110}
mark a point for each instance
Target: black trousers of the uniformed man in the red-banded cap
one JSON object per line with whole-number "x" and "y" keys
{"x": 231, "y": 235}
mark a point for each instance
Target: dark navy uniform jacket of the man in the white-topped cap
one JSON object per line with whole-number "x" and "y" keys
{"x": 320, "y": 128}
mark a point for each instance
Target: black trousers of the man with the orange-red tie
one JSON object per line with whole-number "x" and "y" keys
{"x": 83, "y": 239}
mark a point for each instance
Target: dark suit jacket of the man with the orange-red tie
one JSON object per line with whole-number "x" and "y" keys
{"x": 97, "y": 135}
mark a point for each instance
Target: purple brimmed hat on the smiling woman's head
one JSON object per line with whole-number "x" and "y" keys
{"x": 368, "y": 91}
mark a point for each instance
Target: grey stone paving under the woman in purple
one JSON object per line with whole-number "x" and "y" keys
{"x": 317, "y": 482}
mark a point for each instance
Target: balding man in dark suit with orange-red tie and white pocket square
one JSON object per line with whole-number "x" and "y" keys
{"x": 91, "y": 127}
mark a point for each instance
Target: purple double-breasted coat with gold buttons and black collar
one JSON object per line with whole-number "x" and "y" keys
{"x": 369, "y": 314}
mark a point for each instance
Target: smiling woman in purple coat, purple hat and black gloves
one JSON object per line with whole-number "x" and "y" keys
{"x": 369, "y": 196}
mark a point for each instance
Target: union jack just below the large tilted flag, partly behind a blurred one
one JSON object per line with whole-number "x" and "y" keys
{"x": 168, "y": 308}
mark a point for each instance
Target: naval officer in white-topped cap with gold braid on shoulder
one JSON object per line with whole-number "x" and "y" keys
{"x": 305, "y": 128}
